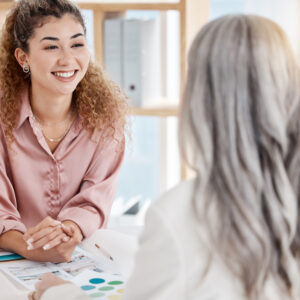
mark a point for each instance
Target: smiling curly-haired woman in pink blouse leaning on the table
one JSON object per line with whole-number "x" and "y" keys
{"x": 61, "y": 131}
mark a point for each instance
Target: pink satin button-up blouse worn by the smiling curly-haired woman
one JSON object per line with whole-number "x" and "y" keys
{"x": 77, "y": 182}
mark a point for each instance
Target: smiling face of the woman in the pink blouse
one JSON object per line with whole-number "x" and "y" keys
{"x": 58, "y": 56}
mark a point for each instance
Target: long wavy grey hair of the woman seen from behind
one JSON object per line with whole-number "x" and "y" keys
{"x": 239, "y": 130}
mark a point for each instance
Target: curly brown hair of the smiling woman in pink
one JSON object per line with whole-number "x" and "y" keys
{"x": 99, "y": 102}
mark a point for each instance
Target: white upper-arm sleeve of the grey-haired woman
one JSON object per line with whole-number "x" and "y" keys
{"x": 158, "y": 267}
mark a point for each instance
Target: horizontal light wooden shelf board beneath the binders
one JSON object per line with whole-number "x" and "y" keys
{"x": 170, "y": 111}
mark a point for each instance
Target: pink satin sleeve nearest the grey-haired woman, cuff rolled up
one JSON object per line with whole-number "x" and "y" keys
{"x": 90, "y": 208}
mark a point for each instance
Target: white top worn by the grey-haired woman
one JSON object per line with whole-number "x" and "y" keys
{"x": 172, "y": 257}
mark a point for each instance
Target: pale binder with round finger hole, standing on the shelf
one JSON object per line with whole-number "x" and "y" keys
{"x": 141, "y": 61}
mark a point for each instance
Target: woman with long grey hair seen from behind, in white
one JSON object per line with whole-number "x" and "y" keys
{"x": 233, "y": 231}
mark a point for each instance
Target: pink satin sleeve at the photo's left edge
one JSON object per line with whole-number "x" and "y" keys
{"x": 9, "y": 215}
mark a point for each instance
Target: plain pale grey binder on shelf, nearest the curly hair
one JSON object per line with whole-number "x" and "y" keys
{"x": 113, "y": 49}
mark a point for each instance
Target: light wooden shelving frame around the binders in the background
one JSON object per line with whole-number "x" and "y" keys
{"x": 192, "y": 15}
